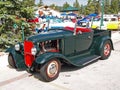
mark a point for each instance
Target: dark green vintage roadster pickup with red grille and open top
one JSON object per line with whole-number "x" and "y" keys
{"x": 47, "y": 51}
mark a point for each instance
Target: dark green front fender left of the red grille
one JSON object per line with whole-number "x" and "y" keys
{"x": 18, "y": 58}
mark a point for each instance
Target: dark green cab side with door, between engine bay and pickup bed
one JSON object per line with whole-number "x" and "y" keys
{"x": 77, "y": 43}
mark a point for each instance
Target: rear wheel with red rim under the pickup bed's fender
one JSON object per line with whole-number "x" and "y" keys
{"x": 106, "y": 50}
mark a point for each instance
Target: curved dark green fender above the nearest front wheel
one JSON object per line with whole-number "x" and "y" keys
{"x": 47, "y": 56}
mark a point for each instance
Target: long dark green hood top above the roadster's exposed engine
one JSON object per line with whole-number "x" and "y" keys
{"x": 49, "y": 35}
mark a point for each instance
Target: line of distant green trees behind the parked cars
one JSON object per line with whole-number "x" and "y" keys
{"x": 93, "y": 6}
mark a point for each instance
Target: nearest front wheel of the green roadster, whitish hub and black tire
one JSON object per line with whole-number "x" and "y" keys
{"x": 50, "y": 70}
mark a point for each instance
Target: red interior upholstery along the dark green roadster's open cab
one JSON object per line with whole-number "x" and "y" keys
{"x": 82, "y": 29}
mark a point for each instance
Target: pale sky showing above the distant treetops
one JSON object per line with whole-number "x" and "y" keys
{"x": 61, "y": 2}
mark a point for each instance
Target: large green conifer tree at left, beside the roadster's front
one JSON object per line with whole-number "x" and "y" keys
{"x": 12, "y": 14}
